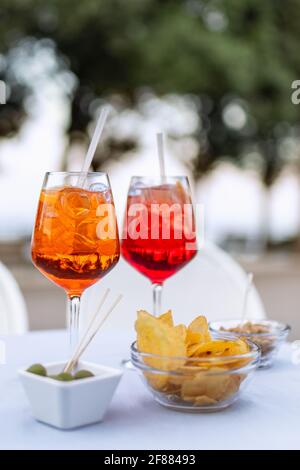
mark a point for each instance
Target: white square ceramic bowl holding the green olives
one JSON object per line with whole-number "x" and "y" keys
{"x": 68, "y": 405}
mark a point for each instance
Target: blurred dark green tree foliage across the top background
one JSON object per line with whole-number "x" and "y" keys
{"x": 219, "y": 51}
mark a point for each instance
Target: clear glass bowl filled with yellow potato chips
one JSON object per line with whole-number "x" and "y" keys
{"x": 189, "y": 368}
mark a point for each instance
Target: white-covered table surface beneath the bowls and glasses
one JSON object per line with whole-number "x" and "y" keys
{"x": 267, "y": 417}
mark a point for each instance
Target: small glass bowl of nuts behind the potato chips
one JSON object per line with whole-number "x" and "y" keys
{"x": 269, "y": 335}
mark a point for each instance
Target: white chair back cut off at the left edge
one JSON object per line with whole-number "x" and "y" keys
{"x": 13, "y": 314}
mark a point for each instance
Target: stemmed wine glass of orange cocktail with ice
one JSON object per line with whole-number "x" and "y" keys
{"x": 75, "y": 240}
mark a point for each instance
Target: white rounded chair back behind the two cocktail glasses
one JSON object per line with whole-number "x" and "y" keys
{"x": 213, "y": 284}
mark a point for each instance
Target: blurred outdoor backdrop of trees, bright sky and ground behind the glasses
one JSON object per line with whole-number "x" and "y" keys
{"x": 214, "y": 75}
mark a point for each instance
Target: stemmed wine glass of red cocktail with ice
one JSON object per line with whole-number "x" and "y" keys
{"x": 159, "y": 235}
